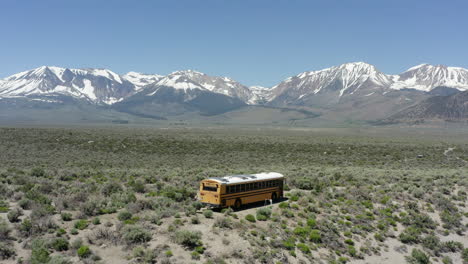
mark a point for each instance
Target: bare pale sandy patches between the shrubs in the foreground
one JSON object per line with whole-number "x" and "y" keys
{"x": 215, "y": 241}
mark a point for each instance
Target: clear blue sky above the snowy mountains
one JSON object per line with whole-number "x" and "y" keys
{"x": 257, "y": 42}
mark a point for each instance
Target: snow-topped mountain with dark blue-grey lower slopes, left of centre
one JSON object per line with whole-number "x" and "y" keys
{"x": 187, "y": 91}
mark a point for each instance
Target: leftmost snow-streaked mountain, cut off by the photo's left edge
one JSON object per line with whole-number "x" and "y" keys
{"x": 94, "y": 85}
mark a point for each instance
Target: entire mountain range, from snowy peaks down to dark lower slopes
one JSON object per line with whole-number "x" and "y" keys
{"x": 357, "y": 91}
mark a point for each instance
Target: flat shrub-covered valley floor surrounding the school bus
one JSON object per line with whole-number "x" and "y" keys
{"x": 129, "y": 195}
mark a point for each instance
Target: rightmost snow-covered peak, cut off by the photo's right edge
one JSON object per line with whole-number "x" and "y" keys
{"x": 426, "y": 77}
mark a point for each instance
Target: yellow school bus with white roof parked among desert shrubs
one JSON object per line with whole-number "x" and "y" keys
{"x": 237, "y": 190}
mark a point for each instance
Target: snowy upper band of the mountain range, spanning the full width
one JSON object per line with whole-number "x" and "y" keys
{"x": 347, "y": 79}
